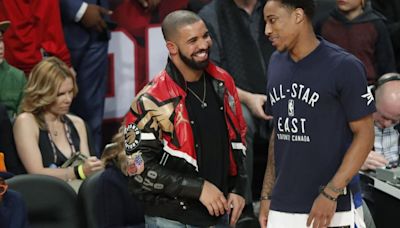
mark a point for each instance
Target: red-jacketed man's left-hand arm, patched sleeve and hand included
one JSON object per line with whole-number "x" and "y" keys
{"x": 145, "y": 120}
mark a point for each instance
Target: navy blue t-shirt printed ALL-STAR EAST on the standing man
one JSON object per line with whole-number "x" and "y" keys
{"x": 313, "y": 101}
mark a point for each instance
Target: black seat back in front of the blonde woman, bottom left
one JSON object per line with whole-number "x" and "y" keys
{"x": 51, "y": 202}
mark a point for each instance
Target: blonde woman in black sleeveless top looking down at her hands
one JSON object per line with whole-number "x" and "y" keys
{"x": 45, "y": 134}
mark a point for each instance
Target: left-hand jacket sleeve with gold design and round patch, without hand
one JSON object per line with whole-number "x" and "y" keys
{"x": 172, "y": 178}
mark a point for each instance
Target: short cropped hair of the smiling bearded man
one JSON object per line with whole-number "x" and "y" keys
{"x": 177, "y": 19}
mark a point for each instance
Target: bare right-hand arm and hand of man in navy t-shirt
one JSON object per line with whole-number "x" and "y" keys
{"x": 323, "y": 208}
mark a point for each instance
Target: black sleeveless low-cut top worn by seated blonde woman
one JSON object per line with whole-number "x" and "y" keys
{"x": 47, "y": 150}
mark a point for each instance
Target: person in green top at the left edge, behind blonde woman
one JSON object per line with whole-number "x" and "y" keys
{"x": 12, "y": 80}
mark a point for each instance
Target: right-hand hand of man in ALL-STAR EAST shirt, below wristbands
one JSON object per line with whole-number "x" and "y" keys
{"x": 321, "y": 212}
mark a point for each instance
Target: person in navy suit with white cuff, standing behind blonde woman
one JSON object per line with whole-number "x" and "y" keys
{"x": 87, "y": 34}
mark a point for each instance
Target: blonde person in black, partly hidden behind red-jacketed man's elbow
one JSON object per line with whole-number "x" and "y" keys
{"x": 116, "y": 207}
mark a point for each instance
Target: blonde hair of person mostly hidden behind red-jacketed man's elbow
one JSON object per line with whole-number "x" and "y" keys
{"x": 114, "y": 153}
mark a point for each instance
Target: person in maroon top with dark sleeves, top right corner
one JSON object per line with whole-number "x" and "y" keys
{"x": 356, "y": 27}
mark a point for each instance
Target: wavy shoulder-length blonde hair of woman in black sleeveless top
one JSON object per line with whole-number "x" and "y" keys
{"x": 42, "y": 87}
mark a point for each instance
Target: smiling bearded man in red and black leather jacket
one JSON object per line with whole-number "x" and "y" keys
{"x": 187, "y": 127}
